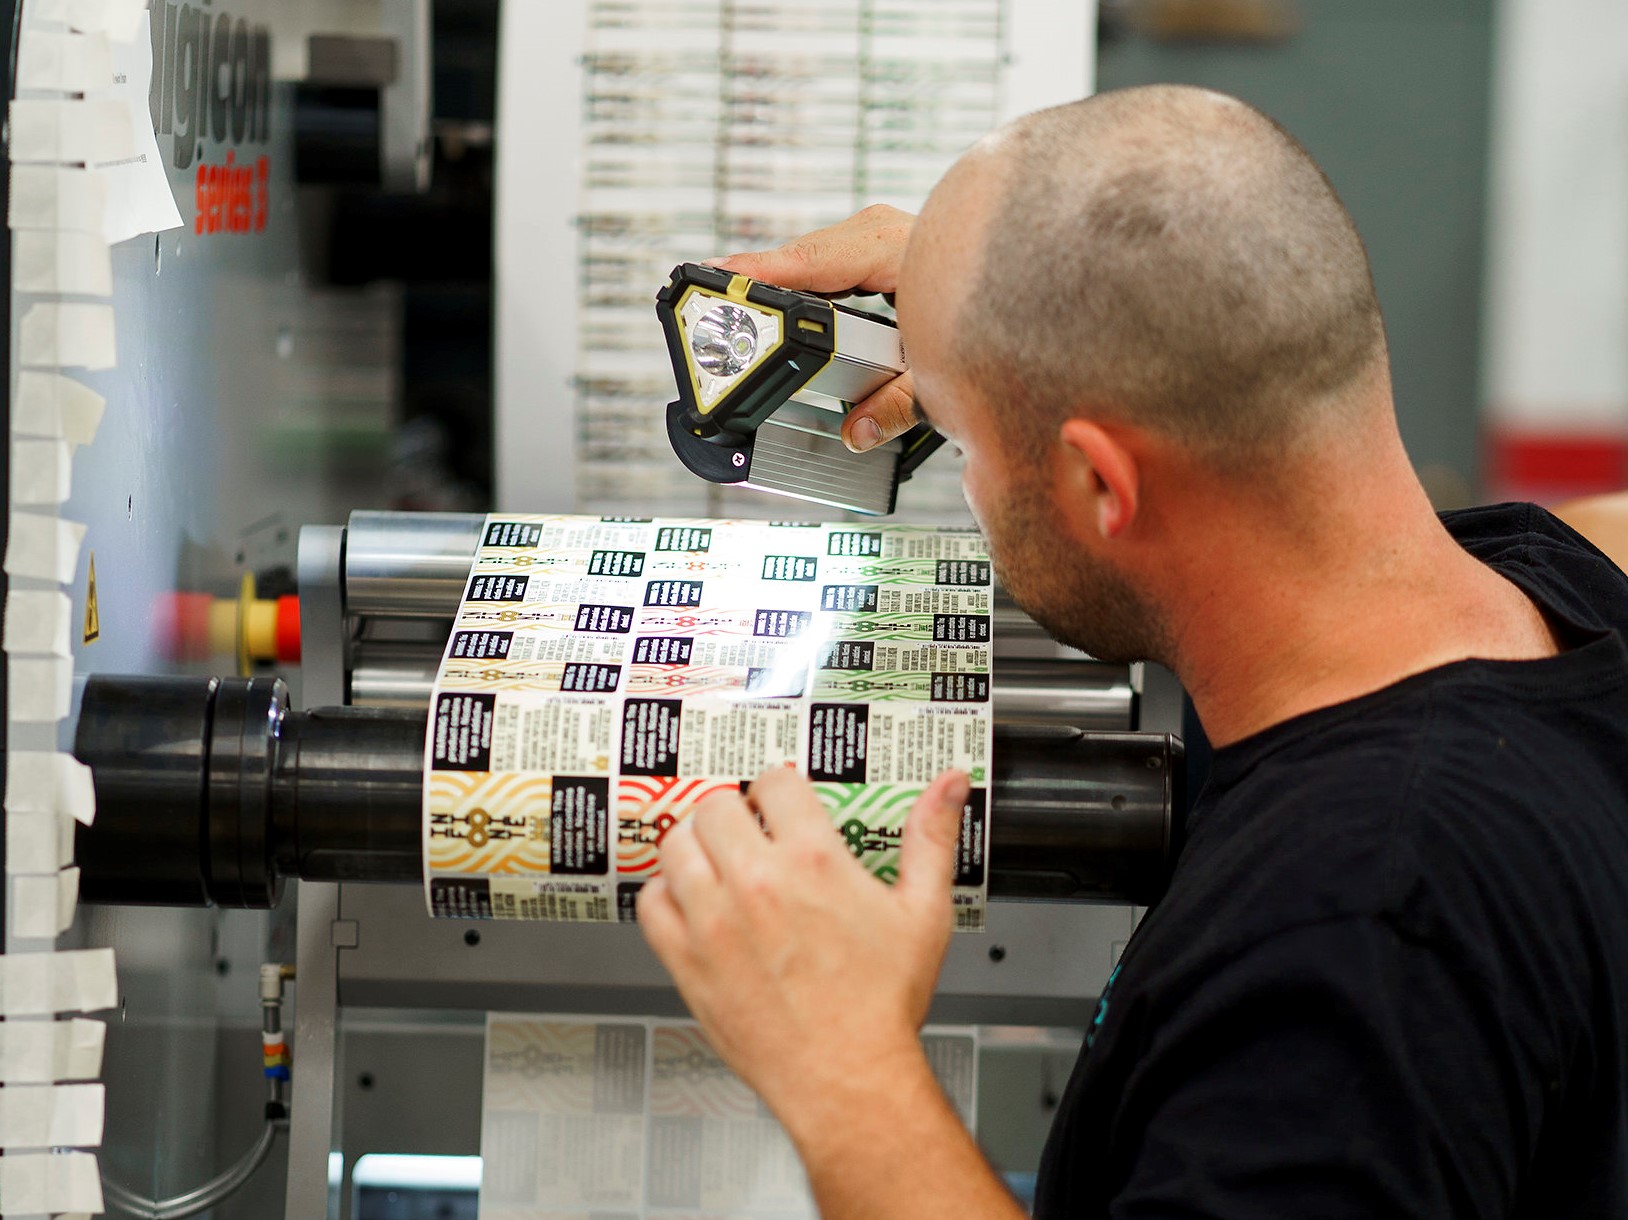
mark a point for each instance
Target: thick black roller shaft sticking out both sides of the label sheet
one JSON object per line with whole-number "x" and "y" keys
{"x": 212, "y": 791}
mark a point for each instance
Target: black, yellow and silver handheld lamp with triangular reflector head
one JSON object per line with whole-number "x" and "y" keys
{"x": 766, "y": 377}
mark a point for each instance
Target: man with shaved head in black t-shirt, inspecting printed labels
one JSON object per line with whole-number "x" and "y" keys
{"x": 1391, "y": 973}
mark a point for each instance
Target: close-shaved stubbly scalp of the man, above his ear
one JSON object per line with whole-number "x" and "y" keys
{"x": 1171, "y": 258}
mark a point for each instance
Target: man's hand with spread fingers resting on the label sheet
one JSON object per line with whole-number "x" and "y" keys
{"x": 810, "y": 976}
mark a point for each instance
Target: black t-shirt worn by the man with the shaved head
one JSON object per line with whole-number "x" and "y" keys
{"x": 1391, "y": 973}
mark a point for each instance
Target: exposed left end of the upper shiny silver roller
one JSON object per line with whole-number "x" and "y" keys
{"x": 409, "y": 566}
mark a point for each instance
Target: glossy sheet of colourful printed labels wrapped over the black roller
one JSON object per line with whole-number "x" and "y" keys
{"x": 605, "y": 675}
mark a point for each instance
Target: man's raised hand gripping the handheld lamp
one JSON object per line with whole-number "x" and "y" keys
{"x": 857, "y": 255}
